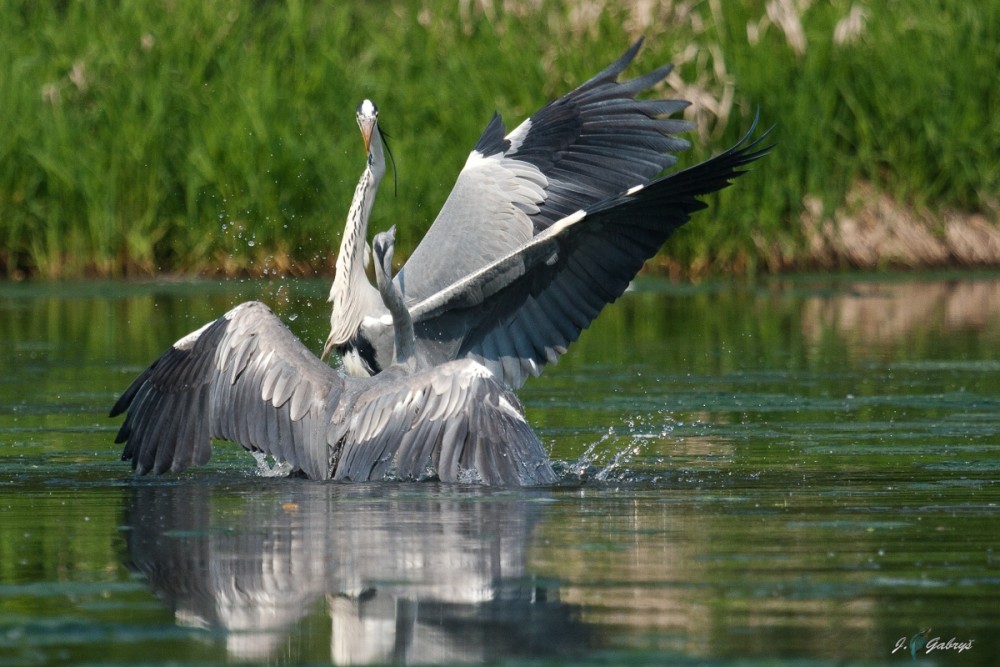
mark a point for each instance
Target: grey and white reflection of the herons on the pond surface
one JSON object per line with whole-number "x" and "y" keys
{"x": 404, "y": 575}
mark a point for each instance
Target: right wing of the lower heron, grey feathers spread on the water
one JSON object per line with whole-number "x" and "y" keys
{"x": 454, "y": 422}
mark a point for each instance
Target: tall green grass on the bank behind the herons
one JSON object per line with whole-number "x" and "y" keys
{"x": 193, "y": 136}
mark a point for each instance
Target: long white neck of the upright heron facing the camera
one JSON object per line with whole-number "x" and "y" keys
{"x": 351, "y": 293}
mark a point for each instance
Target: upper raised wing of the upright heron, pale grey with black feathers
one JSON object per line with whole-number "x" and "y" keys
{"x": 593, "y": 142}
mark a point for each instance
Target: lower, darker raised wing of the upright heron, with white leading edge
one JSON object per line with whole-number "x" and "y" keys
{"x": 522, "y": 311}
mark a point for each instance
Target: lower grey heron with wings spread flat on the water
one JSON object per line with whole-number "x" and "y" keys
{"x": 246, "y": 378}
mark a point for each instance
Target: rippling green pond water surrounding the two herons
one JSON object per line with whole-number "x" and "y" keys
{"x": 803, "y": 470}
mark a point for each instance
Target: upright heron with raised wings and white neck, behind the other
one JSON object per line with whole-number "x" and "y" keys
{"x": 543, "y": 228}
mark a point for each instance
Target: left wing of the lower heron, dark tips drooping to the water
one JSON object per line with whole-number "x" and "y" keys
{"x": 244, "y": 377}
